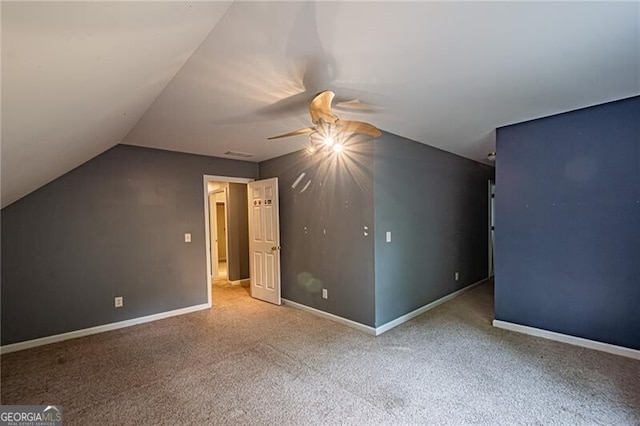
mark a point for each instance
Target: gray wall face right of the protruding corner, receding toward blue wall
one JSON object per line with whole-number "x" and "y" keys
{"x": 436, "y": 206}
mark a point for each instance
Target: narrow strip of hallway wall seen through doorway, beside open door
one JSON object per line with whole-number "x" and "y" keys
{"x": 238, "y": 222}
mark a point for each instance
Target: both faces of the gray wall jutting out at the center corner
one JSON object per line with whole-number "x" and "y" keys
{"x": 434, "y": 203}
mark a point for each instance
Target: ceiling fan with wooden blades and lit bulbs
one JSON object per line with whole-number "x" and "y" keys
{"x": 328, "y": 129}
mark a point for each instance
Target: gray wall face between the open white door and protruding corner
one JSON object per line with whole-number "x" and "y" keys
{"x": 322, "y": 239}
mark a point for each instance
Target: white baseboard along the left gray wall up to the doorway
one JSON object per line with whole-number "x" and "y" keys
{"x": 14, "y": 347}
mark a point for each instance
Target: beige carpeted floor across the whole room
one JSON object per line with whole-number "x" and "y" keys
{"x": 247, "y": 362}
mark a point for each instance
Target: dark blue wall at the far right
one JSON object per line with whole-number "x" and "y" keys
{"x": 568, "y": 223}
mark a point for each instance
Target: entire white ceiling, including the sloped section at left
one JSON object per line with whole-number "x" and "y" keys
{"x": 80, "y": 77}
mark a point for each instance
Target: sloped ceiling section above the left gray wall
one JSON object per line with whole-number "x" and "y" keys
{"x": 77, "y": 76}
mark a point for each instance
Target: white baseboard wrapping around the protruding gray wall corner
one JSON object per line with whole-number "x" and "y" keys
{"x": 385, "y": 327}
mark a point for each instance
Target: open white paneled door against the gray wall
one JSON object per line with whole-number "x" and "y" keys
{"x": 264, "y": 240}
